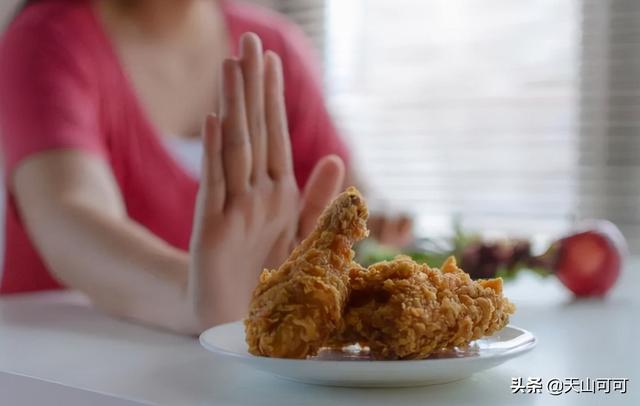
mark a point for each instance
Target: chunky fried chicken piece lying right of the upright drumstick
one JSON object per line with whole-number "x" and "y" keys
{"x": 404, "y": 310}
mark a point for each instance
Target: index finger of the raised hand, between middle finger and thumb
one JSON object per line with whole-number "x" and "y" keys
{"x": 279, "y": 145}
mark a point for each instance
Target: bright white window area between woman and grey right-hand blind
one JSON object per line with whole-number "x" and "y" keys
{"x": 461, "y": 109}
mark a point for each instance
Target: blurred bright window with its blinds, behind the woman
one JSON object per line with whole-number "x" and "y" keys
{"x": 517, "y": 118}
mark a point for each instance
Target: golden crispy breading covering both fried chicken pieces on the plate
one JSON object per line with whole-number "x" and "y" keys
{"x": 399, "y": 309}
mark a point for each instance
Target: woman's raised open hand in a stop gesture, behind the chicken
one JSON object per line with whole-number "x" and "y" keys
{"x": 249, "y": 211}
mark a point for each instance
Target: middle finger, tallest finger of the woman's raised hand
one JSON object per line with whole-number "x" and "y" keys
{"x": 252, "y": 72}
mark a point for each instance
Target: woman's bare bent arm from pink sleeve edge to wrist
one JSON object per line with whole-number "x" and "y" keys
{"x": 72, "y": 209}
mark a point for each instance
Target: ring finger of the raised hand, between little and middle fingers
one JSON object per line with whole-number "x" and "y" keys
{"x": 236, "y": 149}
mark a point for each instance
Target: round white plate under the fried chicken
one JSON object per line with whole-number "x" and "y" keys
{"x": 342, "y": 368}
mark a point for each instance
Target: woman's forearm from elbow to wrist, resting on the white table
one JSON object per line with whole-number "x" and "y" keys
{"x": 124, "y": 269}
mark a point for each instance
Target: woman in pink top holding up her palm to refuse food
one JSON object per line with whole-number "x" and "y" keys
{"x": 95, "y": 96}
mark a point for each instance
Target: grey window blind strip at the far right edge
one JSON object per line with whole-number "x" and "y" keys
{"x": 610, "y": 114}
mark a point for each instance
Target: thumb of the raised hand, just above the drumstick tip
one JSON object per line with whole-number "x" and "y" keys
{"x": 324, "y": 183}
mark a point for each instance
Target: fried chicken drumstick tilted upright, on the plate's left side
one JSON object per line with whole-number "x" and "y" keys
{"x": 295, "y": 309}
